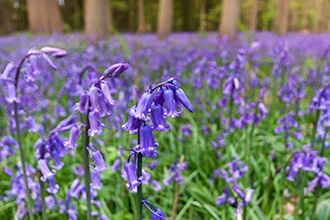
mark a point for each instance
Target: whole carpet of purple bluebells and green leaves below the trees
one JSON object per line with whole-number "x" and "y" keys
{"x": 226, "y": 130}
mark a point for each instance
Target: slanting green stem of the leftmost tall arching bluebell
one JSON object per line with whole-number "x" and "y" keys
{"x": 22, "y": 157}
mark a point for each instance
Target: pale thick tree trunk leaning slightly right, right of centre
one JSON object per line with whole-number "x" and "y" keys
{"x": 229, "y": 17}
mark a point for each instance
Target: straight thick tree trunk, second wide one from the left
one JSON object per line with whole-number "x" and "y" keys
{"x": 97, "y": 17}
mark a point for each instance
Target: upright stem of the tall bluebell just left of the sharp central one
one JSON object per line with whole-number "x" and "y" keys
{"x": 86, "y": 168}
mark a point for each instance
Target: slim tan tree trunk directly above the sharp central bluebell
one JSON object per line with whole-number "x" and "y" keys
{"x": 165, "y": 18}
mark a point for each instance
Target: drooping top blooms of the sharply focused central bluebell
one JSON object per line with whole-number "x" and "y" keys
{"x": 164, "y": 100}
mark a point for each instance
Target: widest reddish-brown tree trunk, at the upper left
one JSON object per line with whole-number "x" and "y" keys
{"x": 44, "y": 16}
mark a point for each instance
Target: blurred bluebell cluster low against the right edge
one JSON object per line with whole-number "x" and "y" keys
{"x": 308, "y": 160}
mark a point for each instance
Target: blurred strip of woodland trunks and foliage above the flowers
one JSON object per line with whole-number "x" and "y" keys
{"x": 101, "y": 18}
